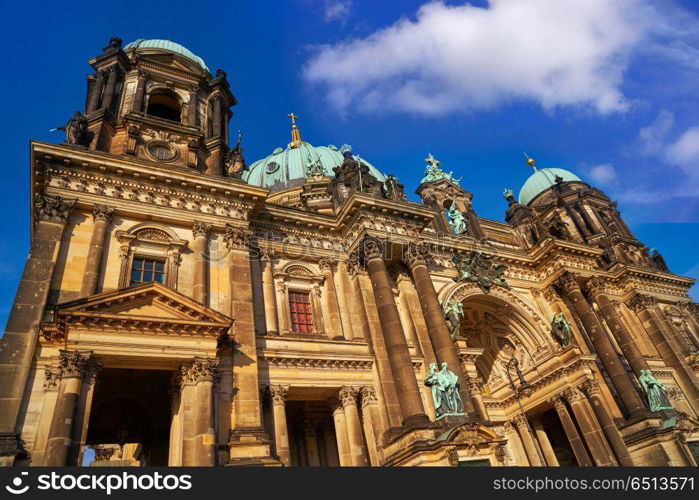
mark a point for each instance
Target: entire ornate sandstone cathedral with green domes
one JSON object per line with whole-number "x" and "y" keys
{"x": 182, "y": 306}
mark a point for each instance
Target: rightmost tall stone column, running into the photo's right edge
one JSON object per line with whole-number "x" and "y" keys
{"x": 644, "y": 307}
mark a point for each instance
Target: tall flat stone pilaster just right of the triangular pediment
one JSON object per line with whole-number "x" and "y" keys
{"x": 249, "y": 443}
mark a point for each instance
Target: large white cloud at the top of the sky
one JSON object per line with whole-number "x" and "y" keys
{"x": 454, "y": 58}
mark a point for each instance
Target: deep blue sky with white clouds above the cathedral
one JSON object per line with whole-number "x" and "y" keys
{"x": 604, "y": 88}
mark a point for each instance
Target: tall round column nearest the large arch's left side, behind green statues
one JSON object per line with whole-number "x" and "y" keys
{"x": 442, "y": 343}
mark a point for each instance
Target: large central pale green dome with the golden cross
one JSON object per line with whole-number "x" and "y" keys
{"x": 286, "y": 168}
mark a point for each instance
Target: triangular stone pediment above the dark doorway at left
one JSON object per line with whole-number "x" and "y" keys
{"x": 149, "y": 301}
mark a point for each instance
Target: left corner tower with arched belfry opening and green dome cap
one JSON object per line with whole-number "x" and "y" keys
{"x": 156, "y": 100}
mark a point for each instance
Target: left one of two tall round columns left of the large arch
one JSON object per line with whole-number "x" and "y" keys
{"x": 396, "y": 345}
